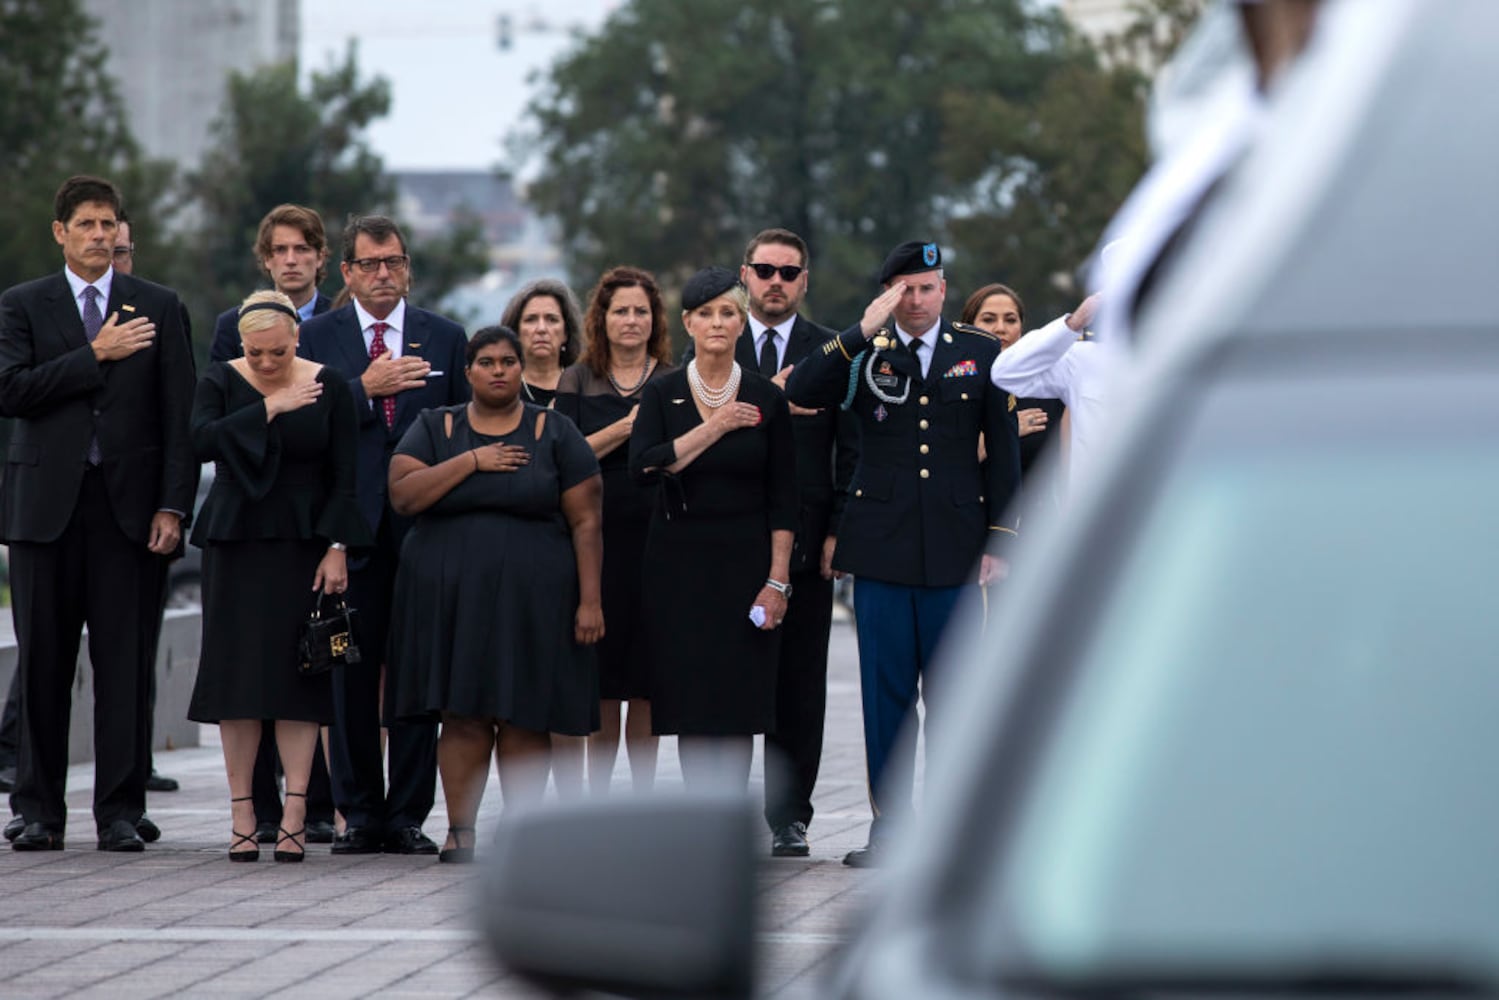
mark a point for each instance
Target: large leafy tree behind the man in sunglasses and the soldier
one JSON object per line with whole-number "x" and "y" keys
{"x": 678, "y": 131}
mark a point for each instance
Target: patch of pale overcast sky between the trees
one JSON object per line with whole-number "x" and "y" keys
{"x": 455, "y": 92}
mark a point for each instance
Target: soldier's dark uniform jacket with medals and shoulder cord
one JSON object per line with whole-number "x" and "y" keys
{"x": 921, "y": 507}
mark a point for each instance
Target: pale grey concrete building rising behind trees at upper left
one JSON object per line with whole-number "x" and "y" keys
{"x": 172, "y": 61}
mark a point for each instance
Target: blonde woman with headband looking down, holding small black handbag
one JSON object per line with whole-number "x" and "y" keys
{"x": 283, "y": 434}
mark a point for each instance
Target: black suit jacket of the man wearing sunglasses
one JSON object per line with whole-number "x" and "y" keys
{"x": 827, "y": 448}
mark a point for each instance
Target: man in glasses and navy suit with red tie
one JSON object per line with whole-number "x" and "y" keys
{"x": 401, "y": 361}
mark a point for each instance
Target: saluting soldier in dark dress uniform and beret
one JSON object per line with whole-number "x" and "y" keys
{"x": 923, "y": 507}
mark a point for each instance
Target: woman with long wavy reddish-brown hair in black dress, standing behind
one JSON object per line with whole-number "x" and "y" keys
{"x": 626, "y": 350}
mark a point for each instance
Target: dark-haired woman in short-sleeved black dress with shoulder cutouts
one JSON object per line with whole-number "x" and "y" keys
{"x": 498, "y": 585}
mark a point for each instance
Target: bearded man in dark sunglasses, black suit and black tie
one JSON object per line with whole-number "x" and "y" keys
{"x": 776, "y": 340}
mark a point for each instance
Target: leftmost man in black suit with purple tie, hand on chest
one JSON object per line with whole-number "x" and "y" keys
{"x": 100, "y": 482}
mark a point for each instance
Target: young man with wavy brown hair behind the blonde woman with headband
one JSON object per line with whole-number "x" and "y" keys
{"x": 293, "y": 250}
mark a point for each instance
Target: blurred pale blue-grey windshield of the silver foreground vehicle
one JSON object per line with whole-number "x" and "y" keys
{"x": 1281, "y": 743}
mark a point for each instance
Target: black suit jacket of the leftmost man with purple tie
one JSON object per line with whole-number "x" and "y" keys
{"x": 62, "y": 398}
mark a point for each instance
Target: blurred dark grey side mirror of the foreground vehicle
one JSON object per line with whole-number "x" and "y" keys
{"x": 638, "y": 897}
